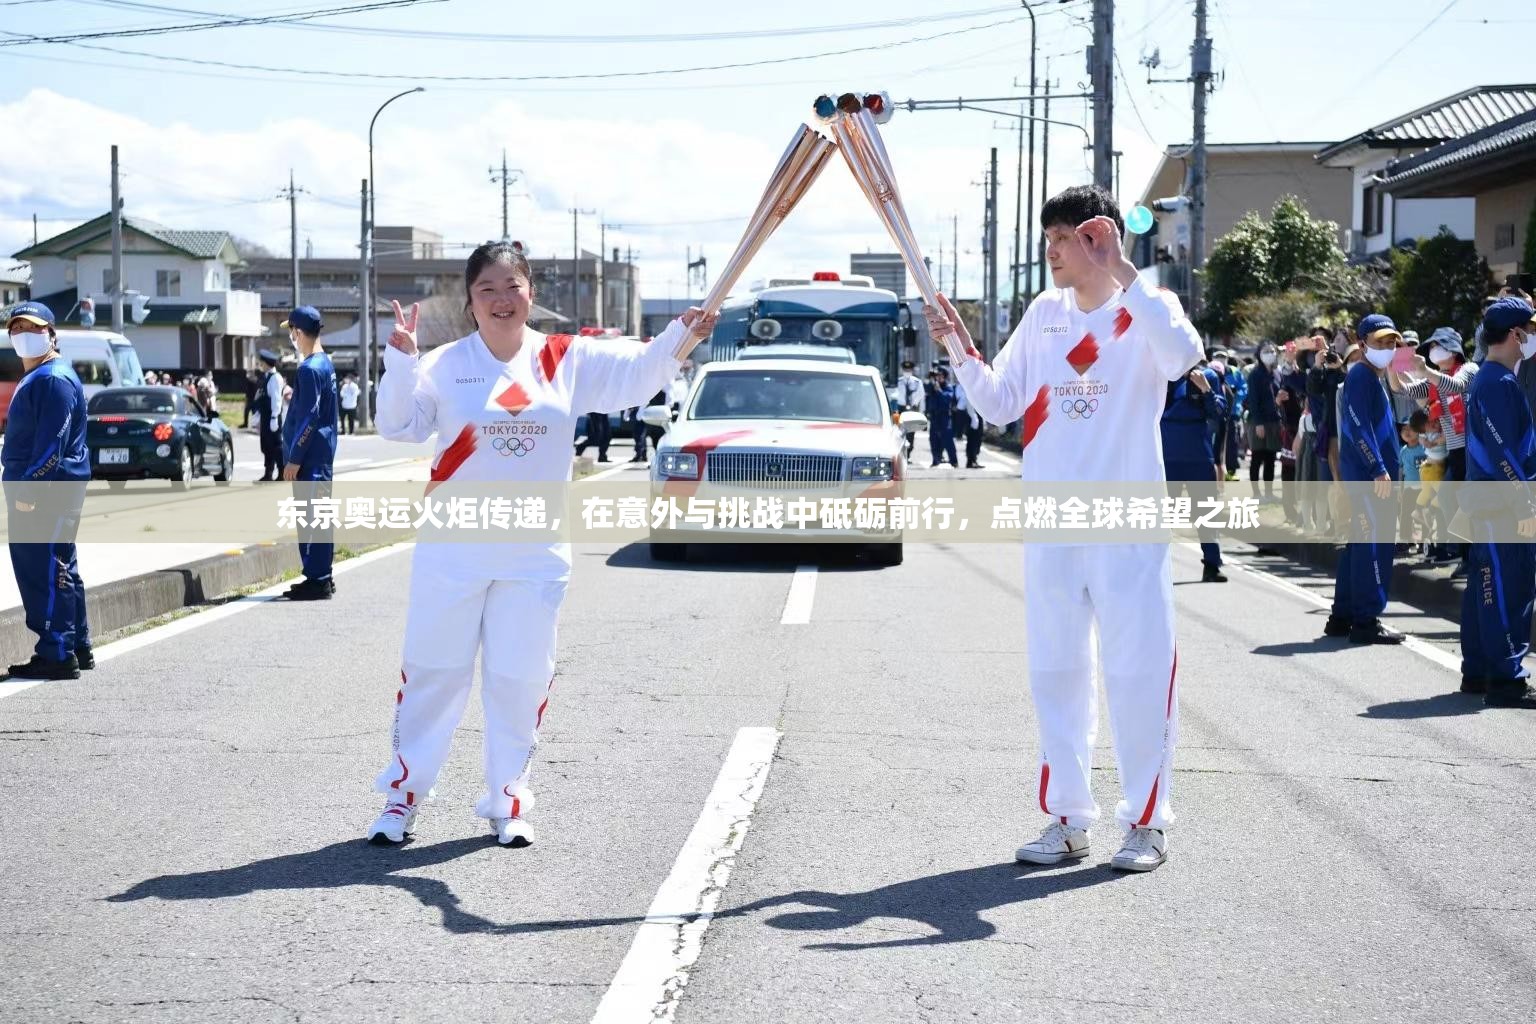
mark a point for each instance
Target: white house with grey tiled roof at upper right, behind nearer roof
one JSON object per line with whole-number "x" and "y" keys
{"x": 1382, "y": 219}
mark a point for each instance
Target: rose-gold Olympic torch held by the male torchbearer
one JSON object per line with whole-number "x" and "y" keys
{"x": 855, "y": 124}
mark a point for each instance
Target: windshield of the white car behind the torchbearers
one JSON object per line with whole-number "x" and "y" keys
{"x": 787, "y": 395}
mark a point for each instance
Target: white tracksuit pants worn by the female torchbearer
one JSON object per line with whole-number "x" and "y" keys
{"x": 514, "y": 626}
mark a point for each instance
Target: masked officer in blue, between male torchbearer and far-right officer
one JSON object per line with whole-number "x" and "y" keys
{"x": 1368, "y": 455}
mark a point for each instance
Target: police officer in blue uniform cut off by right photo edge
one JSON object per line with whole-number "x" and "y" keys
{"x": 1500, "y": 500}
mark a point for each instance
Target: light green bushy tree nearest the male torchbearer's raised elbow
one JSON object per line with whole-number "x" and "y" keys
{"x": 1266, "y": 257}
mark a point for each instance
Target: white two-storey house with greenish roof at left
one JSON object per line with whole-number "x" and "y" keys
{"x": 196, "y": 322}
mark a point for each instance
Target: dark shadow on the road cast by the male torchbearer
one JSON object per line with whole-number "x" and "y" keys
{"x": 952, "y": 903}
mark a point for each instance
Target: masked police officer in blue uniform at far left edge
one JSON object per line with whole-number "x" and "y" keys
{"x": 45, "y": 469}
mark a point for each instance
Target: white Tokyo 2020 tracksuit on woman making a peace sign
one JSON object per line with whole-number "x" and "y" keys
{"x": 495, "y": 423}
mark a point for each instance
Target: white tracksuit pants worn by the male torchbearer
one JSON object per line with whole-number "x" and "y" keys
{"x": 1128, "y": 592}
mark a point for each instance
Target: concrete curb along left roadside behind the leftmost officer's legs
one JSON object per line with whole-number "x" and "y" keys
{"x": 141, "y": 598}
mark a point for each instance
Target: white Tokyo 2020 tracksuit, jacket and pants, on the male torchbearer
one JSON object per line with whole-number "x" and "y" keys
{"x": 1090, "y": 388}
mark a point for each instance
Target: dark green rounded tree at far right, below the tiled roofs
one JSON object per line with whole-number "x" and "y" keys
{"x": 1440, "y": 283}
